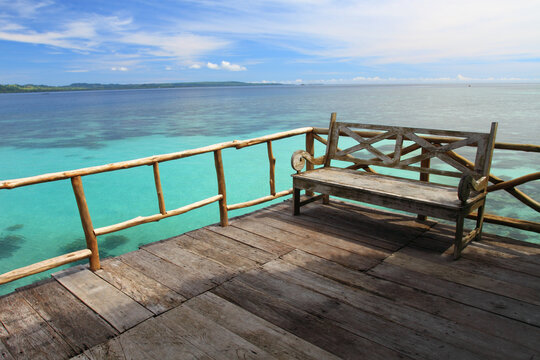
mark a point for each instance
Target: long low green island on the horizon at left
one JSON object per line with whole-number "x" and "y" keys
{"x": 14, "y": 88}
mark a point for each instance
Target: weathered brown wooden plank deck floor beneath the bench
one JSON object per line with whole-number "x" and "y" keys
{"x": 339, "y": 281}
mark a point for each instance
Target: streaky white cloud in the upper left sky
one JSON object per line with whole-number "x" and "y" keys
{"x": 104, "y": 34}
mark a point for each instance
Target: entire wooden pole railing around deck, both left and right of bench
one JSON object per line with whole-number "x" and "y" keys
{"x": 312, "y": 134}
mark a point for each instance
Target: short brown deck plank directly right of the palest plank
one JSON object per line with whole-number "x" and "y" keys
{"x": 146, "y": 291}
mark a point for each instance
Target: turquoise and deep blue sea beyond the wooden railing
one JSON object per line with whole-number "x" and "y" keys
{"x": 49, "y": 132}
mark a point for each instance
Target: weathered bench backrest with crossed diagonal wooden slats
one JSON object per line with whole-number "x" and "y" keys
{"x": 433, "y": 143}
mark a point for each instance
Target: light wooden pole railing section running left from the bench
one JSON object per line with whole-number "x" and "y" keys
{"x": 91, "y": 233}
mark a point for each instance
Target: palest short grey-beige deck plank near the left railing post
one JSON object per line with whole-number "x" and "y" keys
{"x": 114, "y": 306}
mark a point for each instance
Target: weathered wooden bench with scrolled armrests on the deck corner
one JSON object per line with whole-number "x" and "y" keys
{"x": 413, "y": 150}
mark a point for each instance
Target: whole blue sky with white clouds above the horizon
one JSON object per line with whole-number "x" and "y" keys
{"x": 59, "y": 42}
